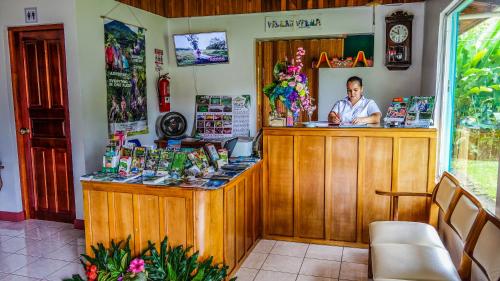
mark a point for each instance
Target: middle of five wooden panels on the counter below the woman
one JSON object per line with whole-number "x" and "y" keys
{"x": 342, "y": 186}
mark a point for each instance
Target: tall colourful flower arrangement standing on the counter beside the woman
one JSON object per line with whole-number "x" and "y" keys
{"x": 290, "y": 86}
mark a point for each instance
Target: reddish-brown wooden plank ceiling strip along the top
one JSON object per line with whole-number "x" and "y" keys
{"x": 198, "y": 8}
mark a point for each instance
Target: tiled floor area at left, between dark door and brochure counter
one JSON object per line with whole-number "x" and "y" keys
{"x": 36, "y": 250}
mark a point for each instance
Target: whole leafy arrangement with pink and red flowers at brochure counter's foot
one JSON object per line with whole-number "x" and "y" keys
{"x": 169, "y": 263}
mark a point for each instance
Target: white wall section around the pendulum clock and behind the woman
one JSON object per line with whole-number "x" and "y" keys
{"x": 380, "y": 84}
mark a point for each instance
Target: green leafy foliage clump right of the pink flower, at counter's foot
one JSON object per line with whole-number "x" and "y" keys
{"x": 175, "y": 264}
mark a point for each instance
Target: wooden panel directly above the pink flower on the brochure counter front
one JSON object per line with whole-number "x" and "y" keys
{"x": 146, "y": 221}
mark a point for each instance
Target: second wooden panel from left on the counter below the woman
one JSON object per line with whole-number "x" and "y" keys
{"x": 310, "y": 187}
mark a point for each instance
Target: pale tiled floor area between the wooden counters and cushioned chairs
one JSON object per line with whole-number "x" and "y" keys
{"x": 286, "y": 261}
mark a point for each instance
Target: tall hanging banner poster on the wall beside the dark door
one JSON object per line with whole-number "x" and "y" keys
{"x": 125, "y": 55}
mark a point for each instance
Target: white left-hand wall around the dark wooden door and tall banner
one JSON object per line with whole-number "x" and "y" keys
{"x": 84, "y": 42}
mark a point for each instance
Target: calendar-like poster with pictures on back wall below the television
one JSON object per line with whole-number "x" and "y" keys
{"x": 219, "y": 117}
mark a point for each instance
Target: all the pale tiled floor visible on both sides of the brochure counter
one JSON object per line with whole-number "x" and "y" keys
{"x": 36, "y": 250}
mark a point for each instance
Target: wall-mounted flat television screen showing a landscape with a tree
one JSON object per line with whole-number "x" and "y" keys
{"x": 201, "y": 48}
